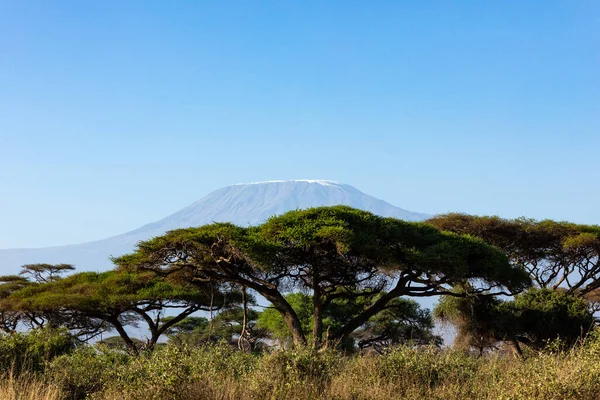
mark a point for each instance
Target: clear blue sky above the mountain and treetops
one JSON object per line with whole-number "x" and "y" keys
{"x": 117, "y": 113}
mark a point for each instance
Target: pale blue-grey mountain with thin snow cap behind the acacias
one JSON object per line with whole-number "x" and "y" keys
{"x": 242, "y": 204}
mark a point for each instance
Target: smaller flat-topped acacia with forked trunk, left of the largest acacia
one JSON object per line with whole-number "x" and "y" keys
{"x": 118, "y": 299}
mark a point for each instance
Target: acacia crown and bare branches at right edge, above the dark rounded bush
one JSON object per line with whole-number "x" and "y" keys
{"x": 555, "y": 254}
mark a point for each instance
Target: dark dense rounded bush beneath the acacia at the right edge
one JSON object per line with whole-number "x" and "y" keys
{"x": 532, "y": 318}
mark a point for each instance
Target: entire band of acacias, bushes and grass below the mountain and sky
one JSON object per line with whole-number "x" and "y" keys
{"x": 315, "y": 304}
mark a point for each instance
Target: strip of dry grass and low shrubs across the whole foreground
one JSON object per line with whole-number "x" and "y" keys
{"x": 219, "y": 372}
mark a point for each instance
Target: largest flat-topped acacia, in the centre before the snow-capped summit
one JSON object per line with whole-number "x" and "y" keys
{"x": 335, "y": 253}
